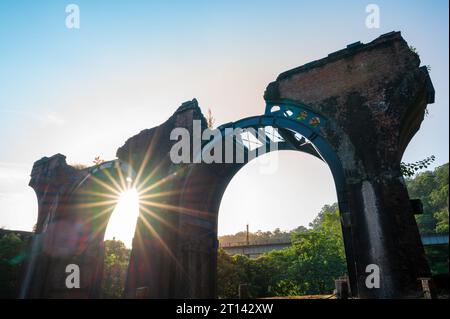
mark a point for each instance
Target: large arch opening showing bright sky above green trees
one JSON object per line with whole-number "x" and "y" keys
{"x": 284, "y": 226}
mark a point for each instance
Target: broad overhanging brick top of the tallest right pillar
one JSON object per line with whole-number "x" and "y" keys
{"x": 368, "y": 90}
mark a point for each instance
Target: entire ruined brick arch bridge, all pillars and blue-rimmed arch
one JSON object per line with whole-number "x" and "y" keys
{"x": 359, "y": 107}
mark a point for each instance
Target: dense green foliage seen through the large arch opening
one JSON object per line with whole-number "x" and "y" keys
{"x": 310, "y": 266}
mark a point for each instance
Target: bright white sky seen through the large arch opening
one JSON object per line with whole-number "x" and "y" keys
{"x": 284, "y": 199}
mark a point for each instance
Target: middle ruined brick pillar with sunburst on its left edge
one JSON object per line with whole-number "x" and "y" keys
{"x": 154, "y": 258}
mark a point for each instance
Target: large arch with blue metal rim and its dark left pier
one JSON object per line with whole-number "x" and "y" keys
{"x": 200, "y": 230}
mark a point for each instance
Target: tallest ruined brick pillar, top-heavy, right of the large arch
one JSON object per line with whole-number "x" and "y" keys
{"x": 374, "y": 96}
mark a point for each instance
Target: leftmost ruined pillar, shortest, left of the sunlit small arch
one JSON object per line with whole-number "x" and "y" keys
{"x": 74, "y": 205}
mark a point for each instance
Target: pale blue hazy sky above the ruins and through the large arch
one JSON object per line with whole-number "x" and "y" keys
{"x": 83, "y": 92}
